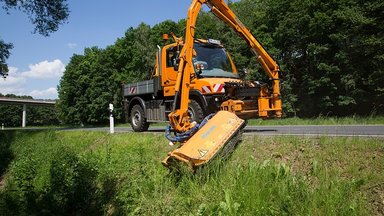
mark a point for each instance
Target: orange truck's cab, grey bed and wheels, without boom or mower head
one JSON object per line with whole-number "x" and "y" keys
{"x": 152, "y": 100}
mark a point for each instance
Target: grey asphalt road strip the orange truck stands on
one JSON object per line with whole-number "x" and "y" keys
{"x": 298, "y": 130}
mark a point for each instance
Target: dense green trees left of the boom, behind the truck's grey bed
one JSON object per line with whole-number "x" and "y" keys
{"x": 93, "y": 80}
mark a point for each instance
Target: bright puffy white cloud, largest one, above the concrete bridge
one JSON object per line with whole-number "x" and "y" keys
{"x": 45, "y": 70}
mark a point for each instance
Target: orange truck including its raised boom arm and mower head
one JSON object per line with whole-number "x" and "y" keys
{"x": 197, "y": 88}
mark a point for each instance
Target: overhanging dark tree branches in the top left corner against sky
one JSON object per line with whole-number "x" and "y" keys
{"x": 45, "y": 15}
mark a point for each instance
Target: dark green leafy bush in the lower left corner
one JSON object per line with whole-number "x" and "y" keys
{"x": 50, "y": 180}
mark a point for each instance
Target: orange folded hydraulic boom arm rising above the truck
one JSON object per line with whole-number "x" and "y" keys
{"x": 179, "y": 119}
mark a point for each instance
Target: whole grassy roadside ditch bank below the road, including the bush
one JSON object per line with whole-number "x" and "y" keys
{"x": 94, "y": 173}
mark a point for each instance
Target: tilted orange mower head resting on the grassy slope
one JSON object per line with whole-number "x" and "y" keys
{"x": 206, "y": 143}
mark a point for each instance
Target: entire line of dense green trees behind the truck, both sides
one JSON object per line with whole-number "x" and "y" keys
{"x": 330, "y": 53}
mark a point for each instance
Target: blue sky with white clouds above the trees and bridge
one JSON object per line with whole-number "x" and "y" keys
{"x": 37, "y": 63}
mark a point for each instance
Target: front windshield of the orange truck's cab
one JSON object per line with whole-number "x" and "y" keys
{"x": 212, "y": 61}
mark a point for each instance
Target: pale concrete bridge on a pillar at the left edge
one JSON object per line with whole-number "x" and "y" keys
{"x": 24, "y": 103}
